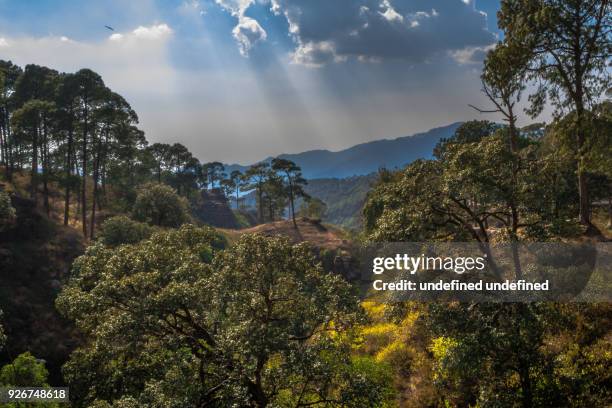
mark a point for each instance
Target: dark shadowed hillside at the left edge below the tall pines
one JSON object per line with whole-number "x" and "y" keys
{"x": 36, "y": 254}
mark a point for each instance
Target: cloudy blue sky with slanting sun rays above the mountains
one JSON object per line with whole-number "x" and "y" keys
{"x": 240, "y": 80}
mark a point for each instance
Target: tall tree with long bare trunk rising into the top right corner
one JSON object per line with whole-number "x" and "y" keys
{"x": 570, "y": 43}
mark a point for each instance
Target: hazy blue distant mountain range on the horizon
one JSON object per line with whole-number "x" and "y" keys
{"x": 365, "y": 158}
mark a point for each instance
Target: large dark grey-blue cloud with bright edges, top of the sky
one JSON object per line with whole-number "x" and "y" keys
{"x": 376, "y": 30}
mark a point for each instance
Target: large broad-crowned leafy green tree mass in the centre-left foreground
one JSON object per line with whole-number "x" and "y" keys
{"x": 177, "y": 322}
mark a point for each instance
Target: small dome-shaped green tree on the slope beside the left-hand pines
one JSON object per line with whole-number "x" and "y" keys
{"x": 160, "y": 205}
